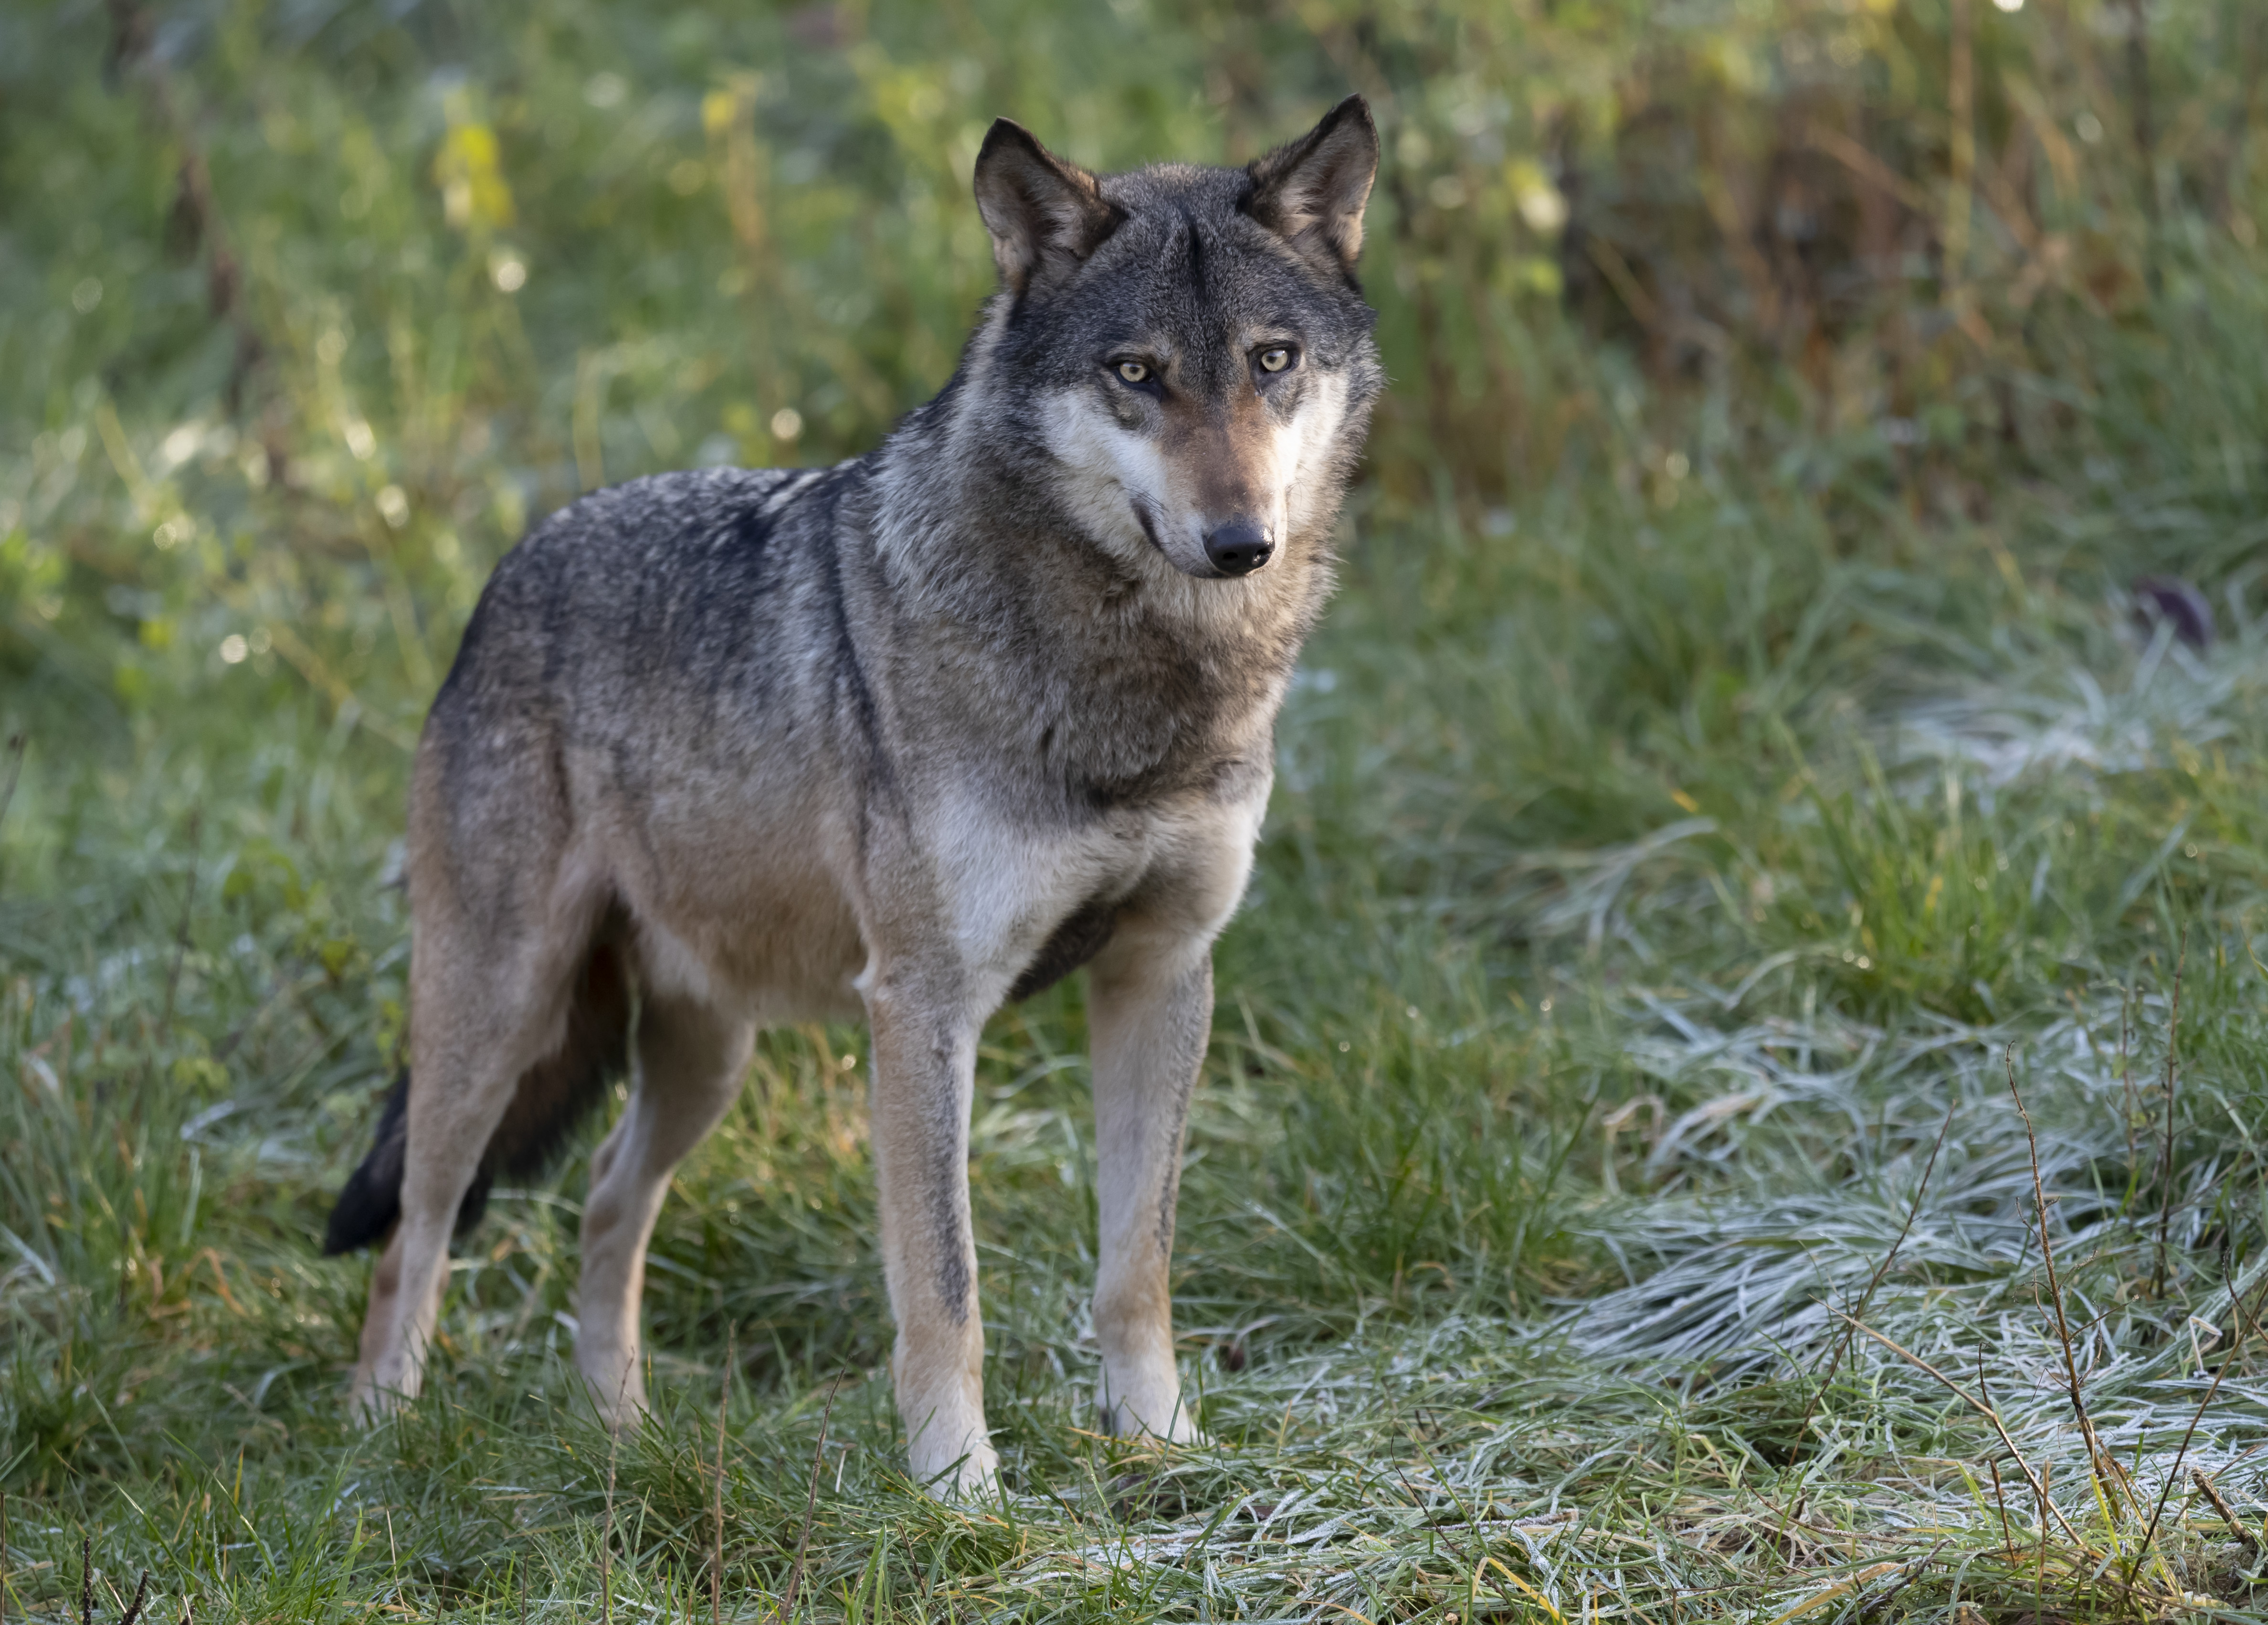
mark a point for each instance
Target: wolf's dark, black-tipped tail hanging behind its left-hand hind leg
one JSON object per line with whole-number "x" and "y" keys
{"x": 552, "y": 1097}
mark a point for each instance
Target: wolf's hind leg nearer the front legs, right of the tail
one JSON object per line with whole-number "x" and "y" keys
{"x": 691, "y": 1066}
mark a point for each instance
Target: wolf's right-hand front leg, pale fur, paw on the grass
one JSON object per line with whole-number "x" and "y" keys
{"x": 1151, "y": 1013}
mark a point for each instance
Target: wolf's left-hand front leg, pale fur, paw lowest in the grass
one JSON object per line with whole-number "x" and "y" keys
{"x": 924, "y": 1075}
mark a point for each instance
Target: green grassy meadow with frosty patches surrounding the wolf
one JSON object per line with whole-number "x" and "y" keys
{"x": 1741, "y": 1088}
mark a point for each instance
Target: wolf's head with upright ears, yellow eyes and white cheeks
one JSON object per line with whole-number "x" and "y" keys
{"x": 1187, "y": 348}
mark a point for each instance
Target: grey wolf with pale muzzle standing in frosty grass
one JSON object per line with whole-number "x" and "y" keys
{"x": 904, "y": 739}
